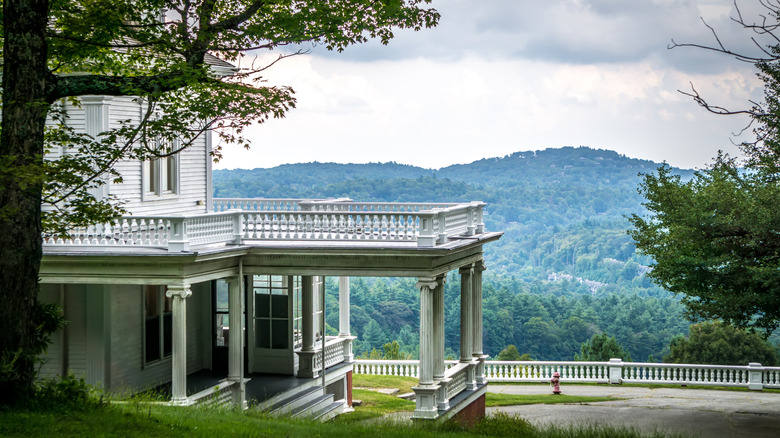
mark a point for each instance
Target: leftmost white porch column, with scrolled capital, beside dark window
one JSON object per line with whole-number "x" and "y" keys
{"x": 178, "y": 293}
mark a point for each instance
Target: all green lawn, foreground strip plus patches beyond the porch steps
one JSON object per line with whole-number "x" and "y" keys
{"x": 69, "y": 413}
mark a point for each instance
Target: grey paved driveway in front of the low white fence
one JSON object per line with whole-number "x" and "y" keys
{"x": 693, "y": 412}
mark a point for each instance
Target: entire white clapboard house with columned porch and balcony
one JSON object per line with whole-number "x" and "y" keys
{"x": 221, "y": 299}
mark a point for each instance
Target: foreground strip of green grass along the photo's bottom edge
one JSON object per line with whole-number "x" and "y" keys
{"x": 143, "y": 420}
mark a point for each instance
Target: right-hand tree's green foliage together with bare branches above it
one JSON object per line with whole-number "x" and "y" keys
{"x": 715, "y": 238}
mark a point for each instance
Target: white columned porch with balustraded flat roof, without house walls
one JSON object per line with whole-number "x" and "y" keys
{"x": 300, "y": 242}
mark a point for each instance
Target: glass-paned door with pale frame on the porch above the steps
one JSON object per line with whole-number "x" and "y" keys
{"x": 274, "y": 325}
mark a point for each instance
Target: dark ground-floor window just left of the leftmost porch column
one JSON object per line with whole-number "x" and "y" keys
{"x": 158, "y": 324}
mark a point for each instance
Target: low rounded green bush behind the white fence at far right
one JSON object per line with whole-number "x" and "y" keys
{"x": 717, "y": 343}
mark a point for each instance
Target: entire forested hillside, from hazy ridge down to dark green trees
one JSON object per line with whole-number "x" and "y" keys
{"x": 563, "y": 270}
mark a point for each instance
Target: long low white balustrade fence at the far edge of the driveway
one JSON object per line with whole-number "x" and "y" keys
{"x": 753, "y": 376}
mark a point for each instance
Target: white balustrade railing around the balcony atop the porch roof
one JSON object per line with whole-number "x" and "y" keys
{"x": 237, "y": 220}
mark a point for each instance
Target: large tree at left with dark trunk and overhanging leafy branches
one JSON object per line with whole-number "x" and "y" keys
{"x": 55, "y": 50}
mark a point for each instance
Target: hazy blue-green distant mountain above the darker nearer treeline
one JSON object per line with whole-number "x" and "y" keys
{"x": 562, "y": 210}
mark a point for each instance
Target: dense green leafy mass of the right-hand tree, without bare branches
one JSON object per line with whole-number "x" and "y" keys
{"x": 714, "y": 240}
